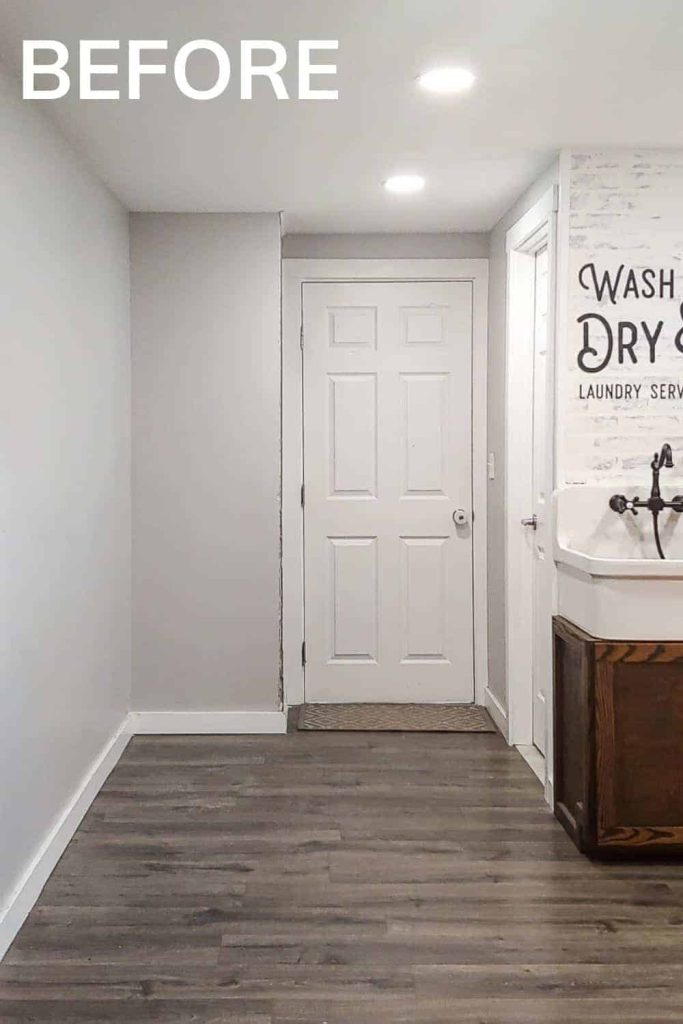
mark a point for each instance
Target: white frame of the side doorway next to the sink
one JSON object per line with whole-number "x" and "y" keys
{"x": 535, "y": 231}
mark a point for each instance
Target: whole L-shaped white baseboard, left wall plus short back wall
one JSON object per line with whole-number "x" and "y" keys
{"x": 35, "y": 877}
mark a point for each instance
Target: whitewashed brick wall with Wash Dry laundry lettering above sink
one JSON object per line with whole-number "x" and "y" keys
{"x": 625, "y": 208}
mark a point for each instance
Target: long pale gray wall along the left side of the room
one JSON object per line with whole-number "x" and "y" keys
{"x": 65, "y": 478}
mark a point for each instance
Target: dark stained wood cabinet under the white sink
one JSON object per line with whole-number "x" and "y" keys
{"x": 619, "y": 744}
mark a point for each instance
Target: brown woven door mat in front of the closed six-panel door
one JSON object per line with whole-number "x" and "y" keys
{"x": 395, "y": 718}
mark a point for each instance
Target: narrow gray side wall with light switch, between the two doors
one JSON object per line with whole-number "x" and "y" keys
{"x": 496, "y": 419}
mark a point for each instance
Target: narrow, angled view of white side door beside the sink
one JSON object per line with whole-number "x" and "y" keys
{"x": 542, "y": 582}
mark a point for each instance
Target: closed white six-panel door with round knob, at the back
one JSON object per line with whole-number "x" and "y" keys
{"x": 388, "y": 371}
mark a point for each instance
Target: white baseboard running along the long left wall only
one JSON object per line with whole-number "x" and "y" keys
{"x": 31, "y": 885}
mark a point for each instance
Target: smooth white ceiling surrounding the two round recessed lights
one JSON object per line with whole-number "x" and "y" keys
{"x": 551, "y": 73}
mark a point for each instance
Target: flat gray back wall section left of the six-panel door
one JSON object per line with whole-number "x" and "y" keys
{"x": 206, "y": 479}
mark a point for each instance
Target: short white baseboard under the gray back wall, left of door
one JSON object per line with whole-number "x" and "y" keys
{"x": 208, "y": 722}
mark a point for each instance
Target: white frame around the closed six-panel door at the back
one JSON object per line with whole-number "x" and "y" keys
{"x": 295, "y": 274}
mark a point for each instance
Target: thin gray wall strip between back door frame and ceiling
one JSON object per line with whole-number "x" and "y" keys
{"x": 446, "y": 246}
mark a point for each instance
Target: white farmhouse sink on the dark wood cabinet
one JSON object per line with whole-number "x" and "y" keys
{"x": 611, "y": 581}
